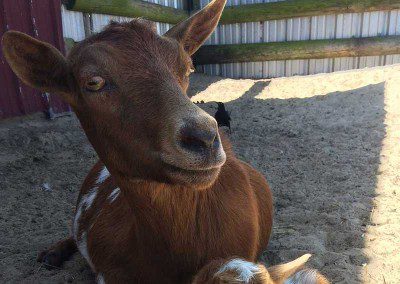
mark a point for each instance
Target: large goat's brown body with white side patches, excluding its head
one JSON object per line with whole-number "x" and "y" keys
{"x": 165, "y": 234}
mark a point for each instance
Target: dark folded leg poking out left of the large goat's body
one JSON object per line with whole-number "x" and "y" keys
{"x": 56, "y": 255}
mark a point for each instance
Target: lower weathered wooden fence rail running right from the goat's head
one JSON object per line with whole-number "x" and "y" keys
{"x": 292, "y": 50}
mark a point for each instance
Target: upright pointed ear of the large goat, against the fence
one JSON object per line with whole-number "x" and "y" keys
{"x": 193, "y": 32}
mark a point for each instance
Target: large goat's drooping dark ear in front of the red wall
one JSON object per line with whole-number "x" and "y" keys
{"x": 37, "y": 63}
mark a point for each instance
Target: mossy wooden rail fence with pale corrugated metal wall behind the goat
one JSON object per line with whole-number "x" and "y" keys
{"x": 294, "y": 37}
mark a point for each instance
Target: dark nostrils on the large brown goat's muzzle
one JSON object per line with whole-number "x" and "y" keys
{"x": 196, "y": 139}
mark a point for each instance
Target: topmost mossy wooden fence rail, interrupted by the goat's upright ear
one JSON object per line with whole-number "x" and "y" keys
{"x": 233, "y": 14}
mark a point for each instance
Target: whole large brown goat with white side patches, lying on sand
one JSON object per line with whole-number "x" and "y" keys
{"x": 169, "y": 197}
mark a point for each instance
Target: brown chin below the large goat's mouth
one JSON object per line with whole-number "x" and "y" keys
{"x": 196, "y": 179}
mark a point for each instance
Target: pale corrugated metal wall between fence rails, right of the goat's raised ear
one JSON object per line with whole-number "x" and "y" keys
{"x": 349, "y": 25}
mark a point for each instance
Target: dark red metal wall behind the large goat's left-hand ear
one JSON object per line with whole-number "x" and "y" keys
{"x": 40, "y": 19}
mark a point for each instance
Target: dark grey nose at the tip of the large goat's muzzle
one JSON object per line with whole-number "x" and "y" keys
{"x": 198, "y": 138}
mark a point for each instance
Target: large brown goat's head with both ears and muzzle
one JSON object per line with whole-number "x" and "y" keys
{"x": 127, "y": 85}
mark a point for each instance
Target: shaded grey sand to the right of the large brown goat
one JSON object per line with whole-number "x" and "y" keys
{"x": 321, "y": 156}
